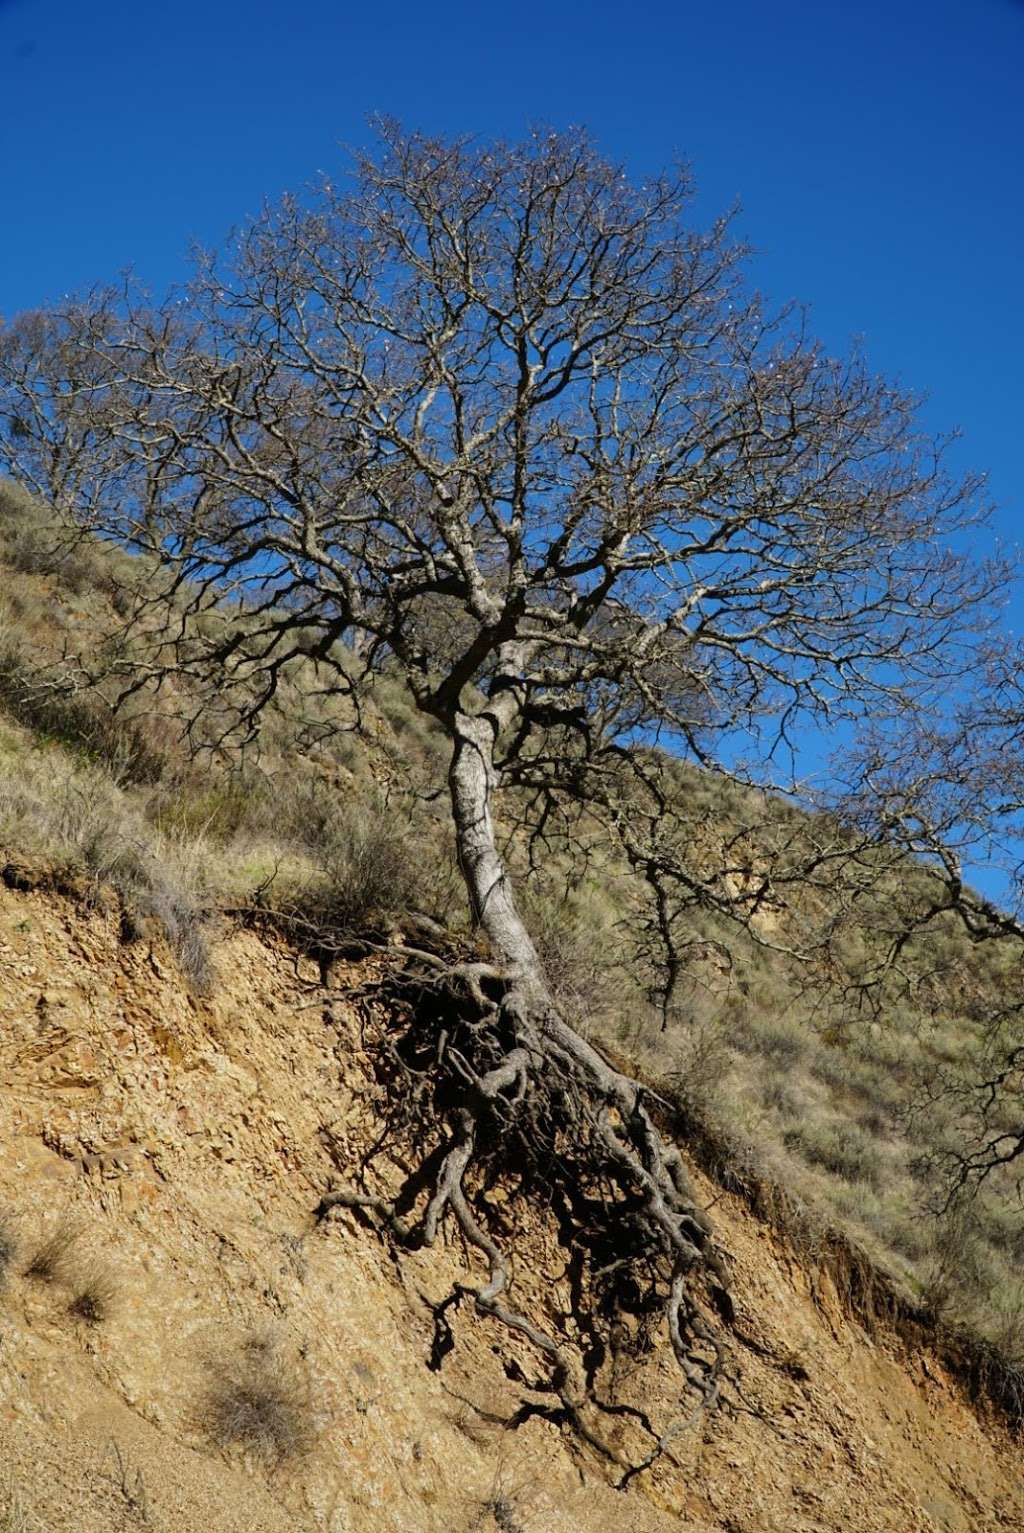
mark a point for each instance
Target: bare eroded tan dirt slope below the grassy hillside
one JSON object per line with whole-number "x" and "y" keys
{"x": 192, "y": 1141}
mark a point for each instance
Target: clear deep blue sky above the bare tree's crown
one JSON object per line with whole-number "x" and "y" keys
{"x": 878, "y": 148}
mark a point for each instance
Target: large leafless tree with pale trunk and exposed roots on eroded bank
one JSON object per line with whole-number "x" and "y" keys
{"x": 496, "y": 418}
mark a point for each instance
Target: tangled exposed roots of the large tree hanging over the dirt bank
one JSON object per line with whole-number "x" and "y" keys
{"x": 519, "y": 1097}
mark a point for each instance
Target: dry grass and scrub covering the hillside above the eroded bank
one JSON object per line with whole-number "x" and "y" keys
{"x": 338, "y": 835}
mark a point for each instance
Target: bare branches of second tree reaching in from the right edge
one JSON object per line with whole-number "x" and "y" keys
{"x": 950, "y": 793}
